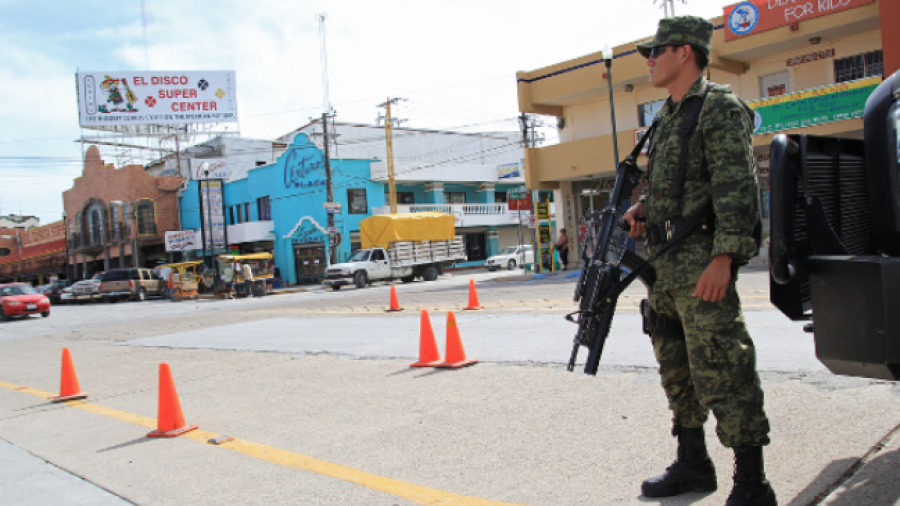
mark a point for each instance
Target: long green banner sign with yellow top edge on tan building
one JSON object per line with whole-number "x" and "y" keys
{"x": 813, "y": 107}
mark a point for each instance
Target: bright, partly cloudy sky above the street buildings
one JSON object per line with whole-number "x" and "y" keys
{"x": 454, "y": 60}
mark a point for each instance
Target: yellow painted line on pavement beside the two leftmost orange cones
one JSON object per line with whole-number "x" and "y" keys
{"x": 409, "y": 491}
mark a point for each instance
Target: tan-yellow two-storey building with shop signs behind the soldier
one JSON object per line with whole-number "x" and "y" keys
{"x": 812, "y": 62}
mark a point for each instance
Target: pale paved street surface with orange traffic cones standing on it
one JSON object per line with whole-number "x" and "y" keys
{"x": 316, "y": 389}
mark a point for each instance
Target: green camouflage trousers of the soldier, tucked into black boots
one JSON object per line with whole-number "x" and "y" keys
{"x": 713, "y": 367}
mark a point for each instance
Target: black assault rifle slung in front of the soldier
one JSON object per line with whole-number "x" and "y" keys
{"x": 601, "y": 279}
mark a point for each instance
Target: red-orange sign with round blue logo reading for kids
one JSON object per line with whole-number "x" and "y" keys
{"x": 756, "y": 16}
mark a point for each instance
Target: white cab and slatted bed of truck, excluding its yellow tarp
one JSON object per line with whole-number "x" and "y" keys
{"x": 403, "y": 260}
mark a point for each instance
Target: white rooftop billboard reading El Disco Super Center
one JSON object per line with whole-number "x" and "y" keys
{"x": 142, "y": 98}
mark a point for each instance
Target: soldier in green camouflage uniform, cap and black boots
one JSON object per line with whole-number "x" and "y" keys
{"x": 708, "y": 361}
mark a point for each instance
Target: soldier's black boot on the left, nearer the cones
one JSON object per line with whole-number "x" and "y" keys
{"x": 692, "y": 471}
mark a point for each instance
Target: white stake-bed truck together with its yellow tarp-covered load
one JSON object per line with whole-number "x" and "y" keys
{"x": 402, "y": 246}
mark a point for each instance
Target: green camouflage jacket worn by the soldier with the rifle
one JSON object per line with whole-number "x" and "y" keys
{"x": 720, "y": 170}
